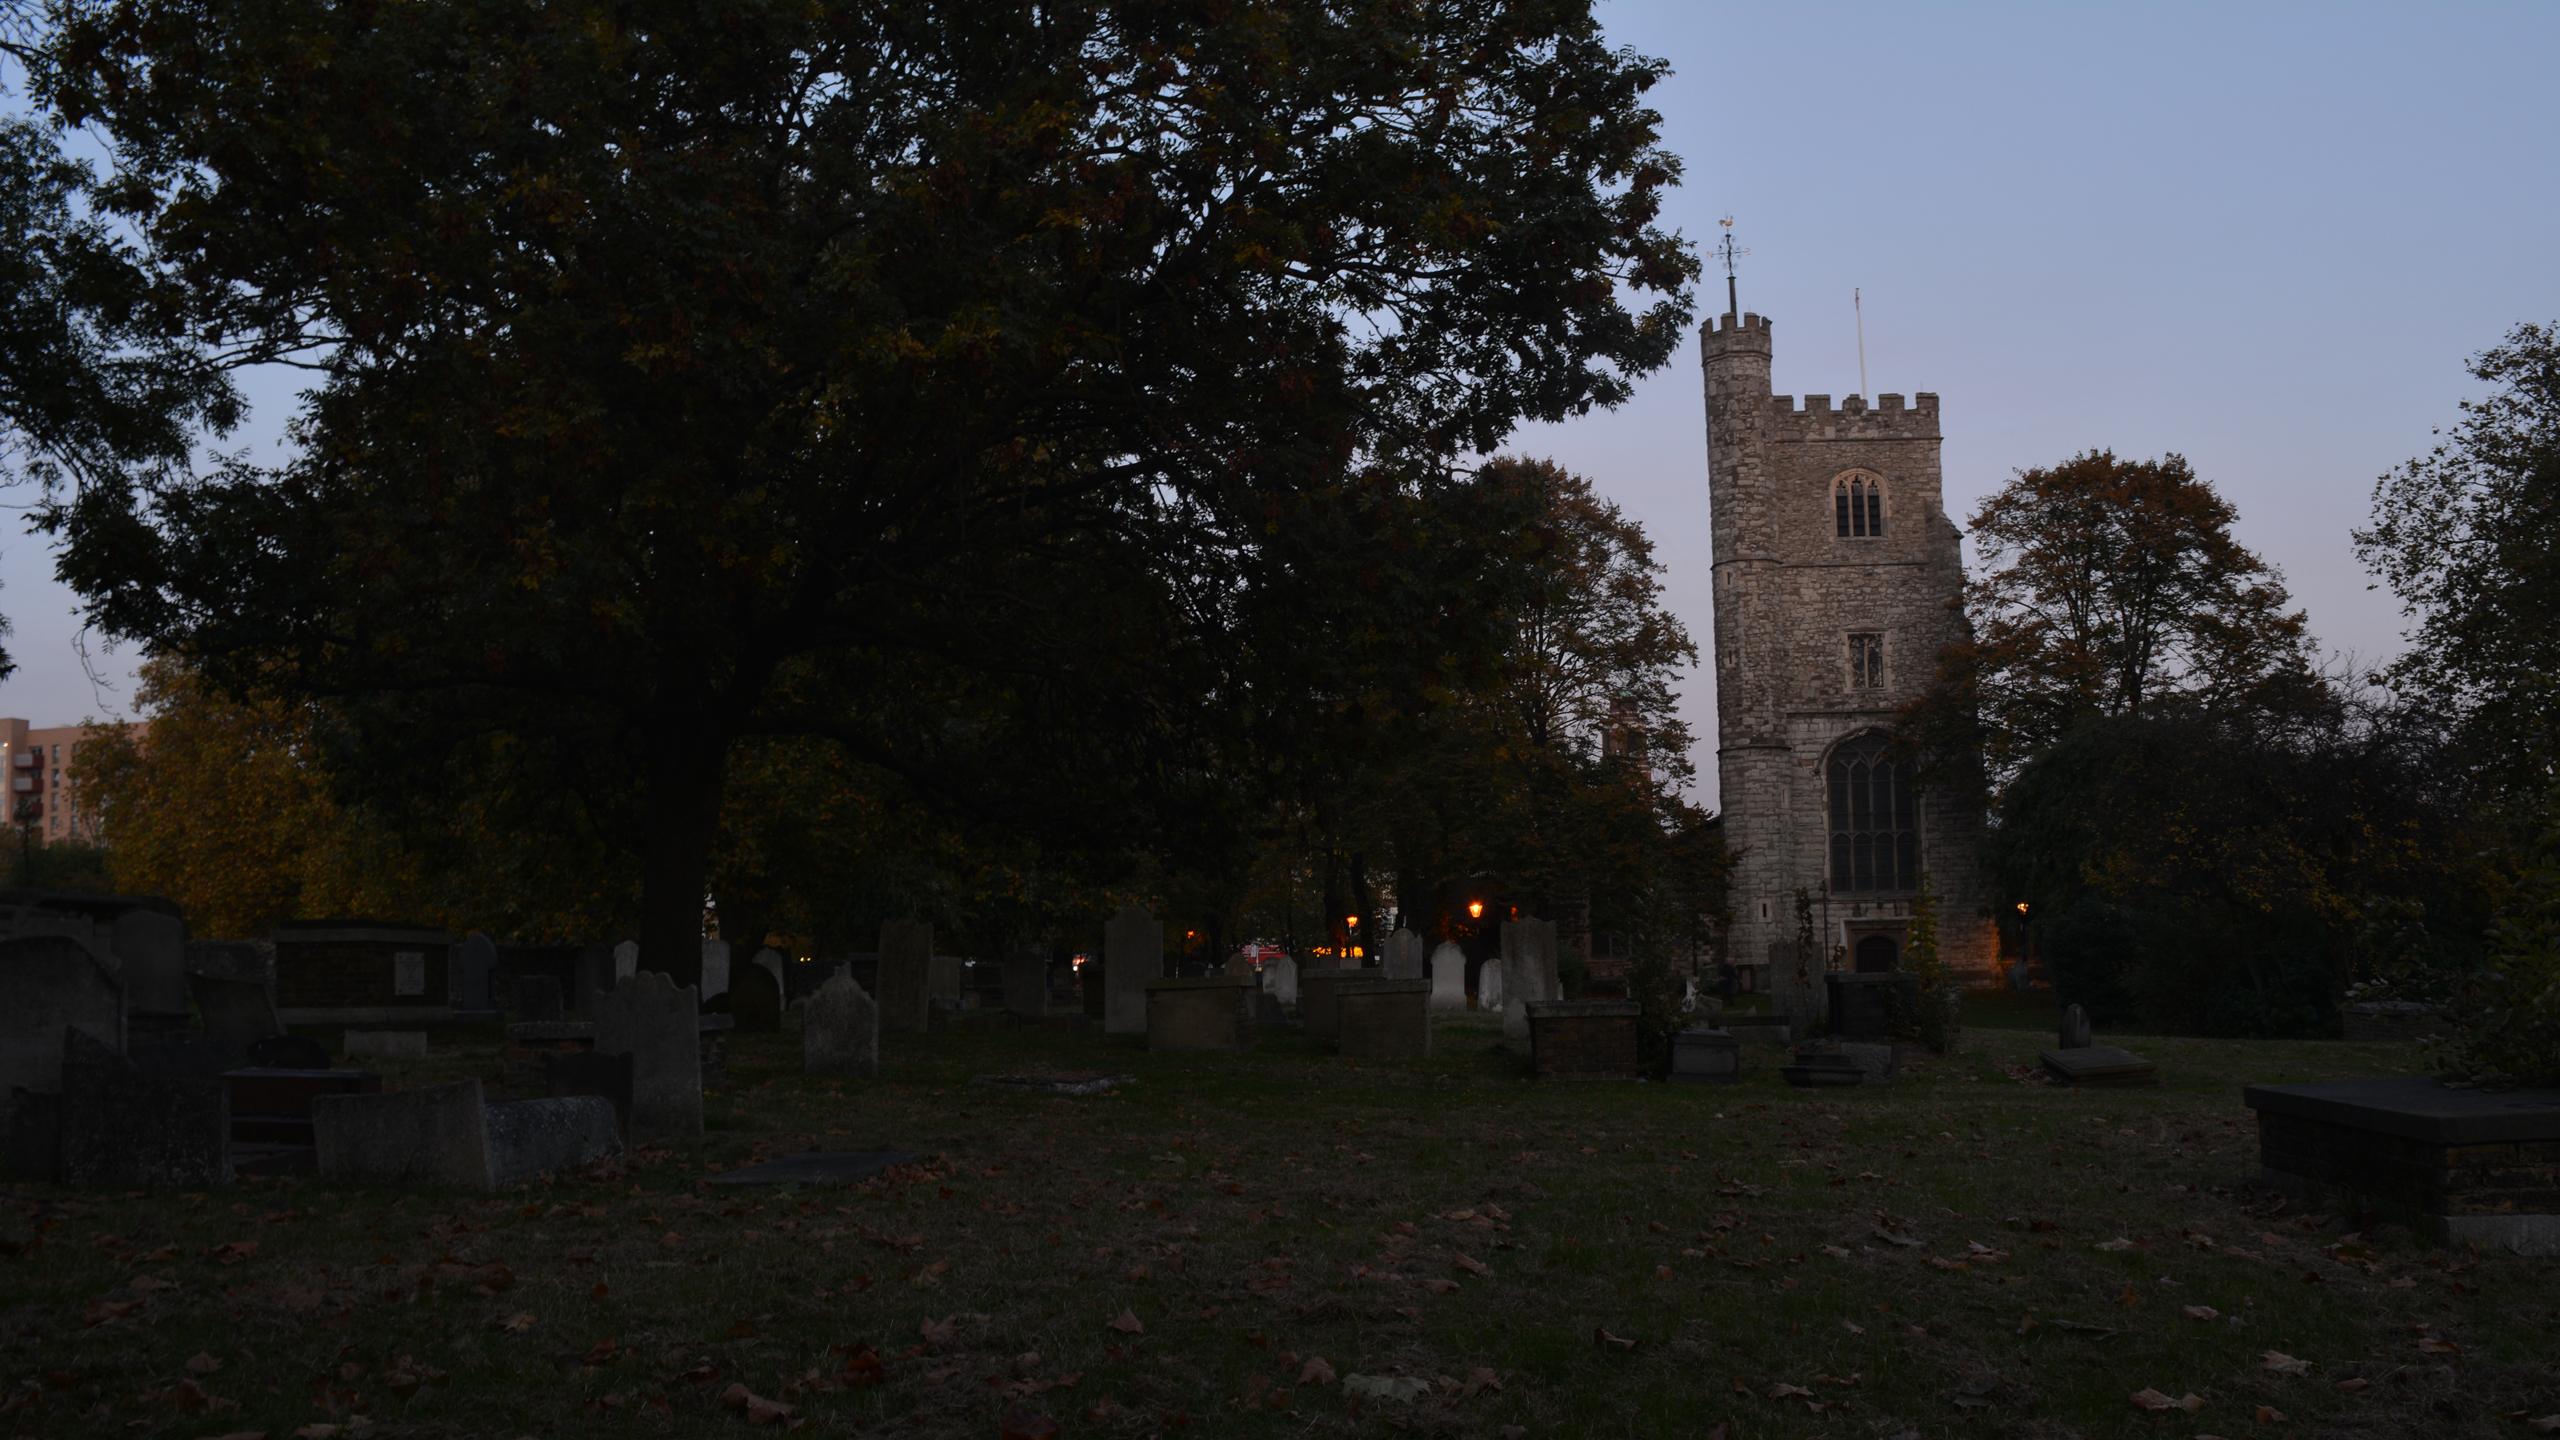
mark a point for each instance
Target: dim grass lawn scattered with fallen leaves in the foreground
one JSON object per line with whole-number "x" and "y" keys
{"x": 1957, "y": 1254}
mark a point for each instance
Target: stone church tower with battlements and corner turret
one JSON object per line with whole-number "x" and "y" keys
{"x": 1837, "y": 575}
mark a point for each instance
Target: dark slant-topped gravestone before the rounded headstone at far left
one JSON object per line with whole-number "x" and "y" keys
{"x": 129, "y": 1126}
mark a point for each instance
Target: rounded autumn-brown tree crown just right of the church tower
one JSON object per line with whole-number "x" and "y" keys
{"x": 2111, "y": 588}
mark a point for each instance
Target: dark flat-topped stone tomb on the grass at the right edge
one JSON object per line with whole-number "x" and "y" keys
{"x": 2459, "y": 1165}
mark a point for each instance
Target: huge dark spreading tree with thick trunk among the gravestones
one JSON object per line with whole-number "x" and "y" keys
{"x": 925, "y": 375}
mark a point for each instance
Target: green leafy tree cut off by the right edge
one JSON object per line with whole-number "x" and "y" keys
{"x": 2469, "y": 537}
